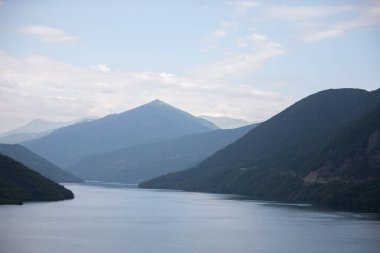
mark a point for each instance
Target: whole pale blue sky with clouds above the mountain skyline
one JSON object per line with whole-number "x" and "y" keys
{"x": 248, "y": 59}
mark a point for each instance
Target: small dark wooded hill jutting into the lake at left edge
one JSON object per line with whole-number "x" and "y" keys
{"x": 18, "y": 184}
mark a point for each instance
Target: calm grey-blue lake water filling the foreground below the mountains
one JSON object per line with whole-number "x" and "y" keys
{"x": 121, "y": 219}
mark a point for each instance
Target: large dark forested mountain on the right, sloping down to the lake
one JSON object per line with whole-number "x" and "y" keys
{"x": 310, "y": 152}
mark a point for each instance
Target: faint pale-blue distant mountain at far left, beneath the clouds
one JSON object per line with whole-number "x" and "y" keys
{"x": 34, "y": 130}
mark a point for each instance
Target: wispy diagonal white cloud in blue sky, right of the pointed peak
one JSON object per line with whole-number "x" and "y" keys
{"x": 260, "y": 50}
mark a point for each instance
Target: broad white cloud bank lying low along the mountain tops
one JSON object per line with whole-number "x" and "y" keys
{"x": 44, "y": 88}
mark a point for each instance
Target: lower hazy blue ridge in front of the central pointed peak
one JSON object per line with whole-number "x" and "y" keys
{"x": 143, "y": 162}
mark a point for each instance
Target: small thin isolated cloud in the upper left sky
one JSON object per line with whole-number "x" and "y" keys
{"x": 49, "y": 34}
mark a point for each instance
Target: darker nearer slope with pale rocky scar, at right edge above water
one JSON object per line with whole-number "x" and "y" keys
{"x": 345, "y": 172}
